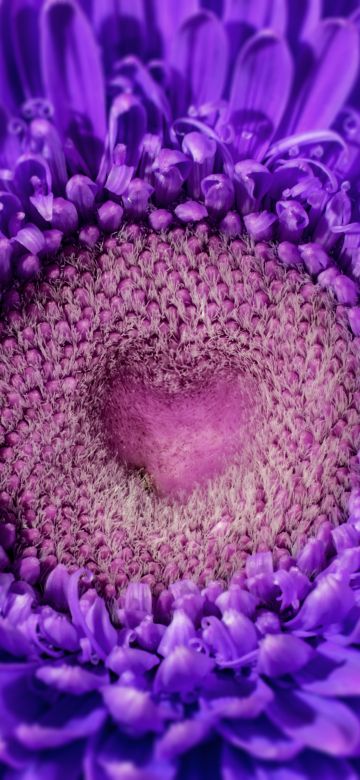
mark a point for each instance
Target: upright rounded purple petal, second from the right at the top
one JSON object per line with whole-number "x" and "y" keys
{"x": 260, "y": 89}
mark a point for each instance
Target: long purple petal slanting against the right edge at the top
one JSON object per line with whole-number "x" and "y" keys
{"x": 328, "y": 82}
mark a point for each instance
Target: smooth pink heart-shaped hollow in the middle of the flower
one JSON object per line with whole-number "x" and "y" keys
{"x": 181, "y": 438}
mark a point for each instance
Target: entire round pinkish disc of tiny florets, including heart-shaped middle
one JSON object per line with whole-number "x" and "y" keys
{"x": 172, "y": 403}
